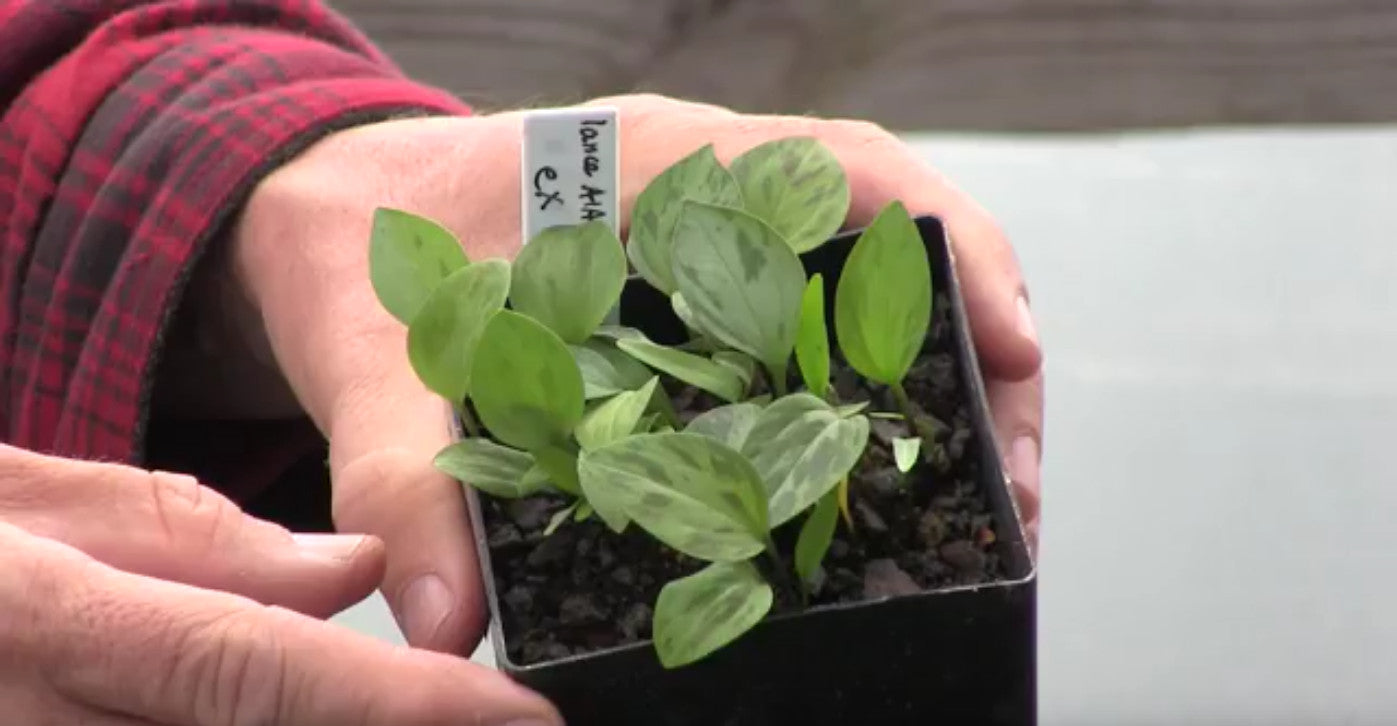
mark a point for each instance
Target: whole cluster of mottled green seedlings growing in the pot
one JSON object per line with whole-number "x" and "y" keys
{"x": 557, "y": 401}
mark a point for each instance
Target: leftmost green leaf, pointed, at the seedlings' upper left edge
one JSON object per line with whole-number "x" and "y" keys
{"x": 409, "y": 258}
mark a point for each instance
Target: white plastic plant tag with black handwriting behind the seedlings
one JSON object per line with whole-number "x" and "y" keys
{"x": 571, "y": 170}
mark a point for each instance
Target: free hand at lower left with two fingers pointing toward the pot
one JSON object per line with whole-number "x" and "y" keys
{"x": 132, "y": 598}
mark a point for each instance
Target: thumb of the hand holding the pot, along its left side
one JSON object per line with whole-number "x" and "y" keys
{"x": 385, "y": 435}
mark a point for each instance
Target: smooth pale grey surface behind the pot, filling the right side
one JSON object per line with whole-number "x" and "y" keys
{"x": 1219, "y": 544}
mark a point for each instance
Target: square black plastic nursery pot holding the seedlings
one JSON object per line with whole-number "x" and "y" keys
{"x": 963, "y": 653}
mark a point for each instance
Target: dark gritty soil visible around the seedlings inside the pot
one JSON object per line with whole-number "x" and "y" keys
{"x": 586, "y": 588}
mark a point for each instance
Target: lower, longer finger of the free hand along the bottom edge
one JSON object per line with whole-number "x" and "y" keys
{"x": 153, "y": 650}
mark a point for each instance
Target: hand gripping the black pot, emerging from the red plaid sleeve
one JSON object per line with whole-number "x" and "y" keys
{"x": 301, "y": 258}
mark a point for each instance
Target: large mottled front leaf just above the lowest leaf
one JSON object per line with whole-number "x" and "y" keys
{"x": 691, "y": 492}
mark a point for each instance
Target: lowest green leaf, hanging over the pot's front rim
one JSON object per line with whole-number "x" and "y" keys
{"x": 709, "y": 609}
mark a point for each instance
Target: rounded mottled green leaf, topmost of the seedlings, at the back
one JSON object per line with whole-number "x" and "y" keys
{"x": 797, "y": 186}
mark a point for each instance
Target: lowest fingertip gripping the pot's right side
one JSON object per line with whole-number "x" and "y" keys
{"x": 1018, "y": 408}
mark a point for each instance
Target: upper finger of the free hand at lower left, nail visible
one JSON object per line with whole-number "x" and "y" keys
{"x": 171, "y": 527}
